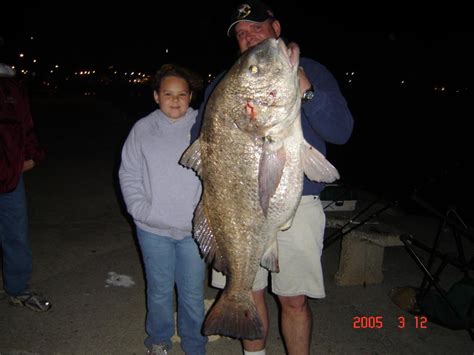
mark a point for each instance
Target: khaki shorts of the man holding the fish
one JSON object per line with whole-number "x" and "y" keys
{"x": 299, "y": 254}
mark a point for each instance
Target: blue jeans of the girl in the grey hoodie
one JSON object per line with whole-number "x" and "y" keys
{"x": 169, "y": 261}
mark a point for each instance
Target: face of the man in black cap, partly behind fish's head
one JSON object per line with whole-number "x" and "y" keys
{"x": 249, "y": 34}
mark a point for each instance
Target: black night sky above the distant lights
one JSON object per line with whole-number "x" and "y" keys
{"x": 135, "y": 35}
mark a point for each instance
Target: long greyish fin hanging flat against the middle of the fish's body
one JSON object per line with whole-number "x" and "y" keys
{"x": 270, "y": 170}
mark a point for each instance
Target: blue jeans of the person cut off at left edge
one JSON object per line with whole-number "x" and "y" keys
{"x": 17, "y": 263}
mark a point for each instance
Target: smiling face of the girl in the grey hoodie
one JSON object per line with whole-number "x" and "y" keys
{"x": 173, "y": 96}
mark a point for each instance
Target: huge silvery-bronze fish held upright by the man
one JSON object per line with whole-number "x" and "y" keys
{"x": 251, "y": 157}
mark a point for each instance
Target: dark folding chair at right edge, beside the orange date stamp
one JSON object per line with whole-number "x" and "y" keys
{"x": 453, "y": 308}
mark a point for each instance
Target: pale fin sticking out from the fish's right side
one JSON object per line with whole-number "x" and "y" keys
{"x": 316, "y": 166}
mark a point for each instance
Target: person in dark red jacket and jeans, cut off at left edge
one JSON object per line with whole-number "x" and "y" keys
{"x": 19, "y": 152}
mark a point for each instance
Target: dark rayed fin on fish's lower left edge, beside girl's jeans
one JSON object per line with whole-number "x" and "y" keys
{"x": 207, "y": 242}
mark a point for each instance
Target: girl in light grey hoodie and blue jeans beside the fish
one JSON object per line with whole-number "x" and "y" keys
{"x": 161, "y": 196}
